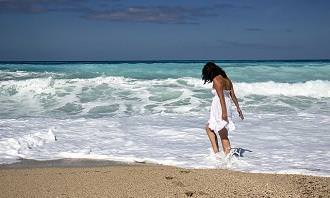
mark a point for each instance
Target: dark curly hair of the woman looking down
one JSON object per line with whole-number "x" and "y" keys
{"x": 211, "y": 70}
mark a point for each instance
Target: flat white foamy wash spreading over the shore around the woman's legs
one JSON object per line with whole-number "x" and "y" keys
{"x": 278, "y": 146}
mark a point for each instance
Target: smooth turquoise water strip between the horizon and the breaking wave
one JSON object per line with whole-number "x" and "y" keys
{"x": 244, "y": 71}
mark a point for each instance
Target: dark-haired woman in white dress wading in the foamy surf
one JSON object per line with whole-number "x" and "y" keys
{"x": 221, "y": 112}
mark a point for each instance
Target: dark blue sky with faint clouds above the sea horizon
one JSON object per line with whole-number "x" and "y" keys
{"x": 111, "y": 30}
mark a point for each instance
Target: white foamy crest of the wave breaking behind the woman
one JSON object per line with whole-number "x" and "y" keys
{"x": 314, "y": 89}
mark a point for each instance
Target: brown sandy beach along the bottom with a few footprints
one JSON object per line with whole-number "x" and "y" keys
{"x": 85, "y": 178}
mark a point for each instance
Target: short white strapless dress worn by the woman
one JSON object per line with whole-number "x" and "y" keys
{"x": 215, "y": 122}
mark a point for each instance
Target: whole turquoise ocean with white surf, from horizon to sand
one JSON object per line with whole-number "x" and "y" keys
{"x": 156, "y": 111}
